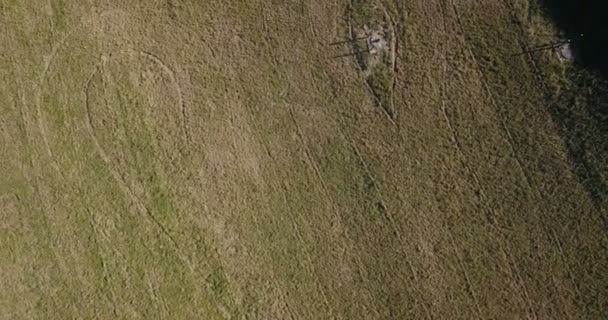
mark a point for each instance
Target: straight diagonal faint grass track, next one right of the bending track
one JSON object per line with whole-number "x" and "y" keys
{"x": 532, "y": 186}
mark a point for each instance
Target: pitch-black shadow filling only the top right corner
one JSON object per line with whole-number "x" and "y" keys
{"x": 588, "y": 18}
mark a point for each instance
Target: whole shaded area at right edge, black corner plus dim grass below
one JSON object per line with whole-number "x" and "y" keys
{"x": 582, "y": 110}
